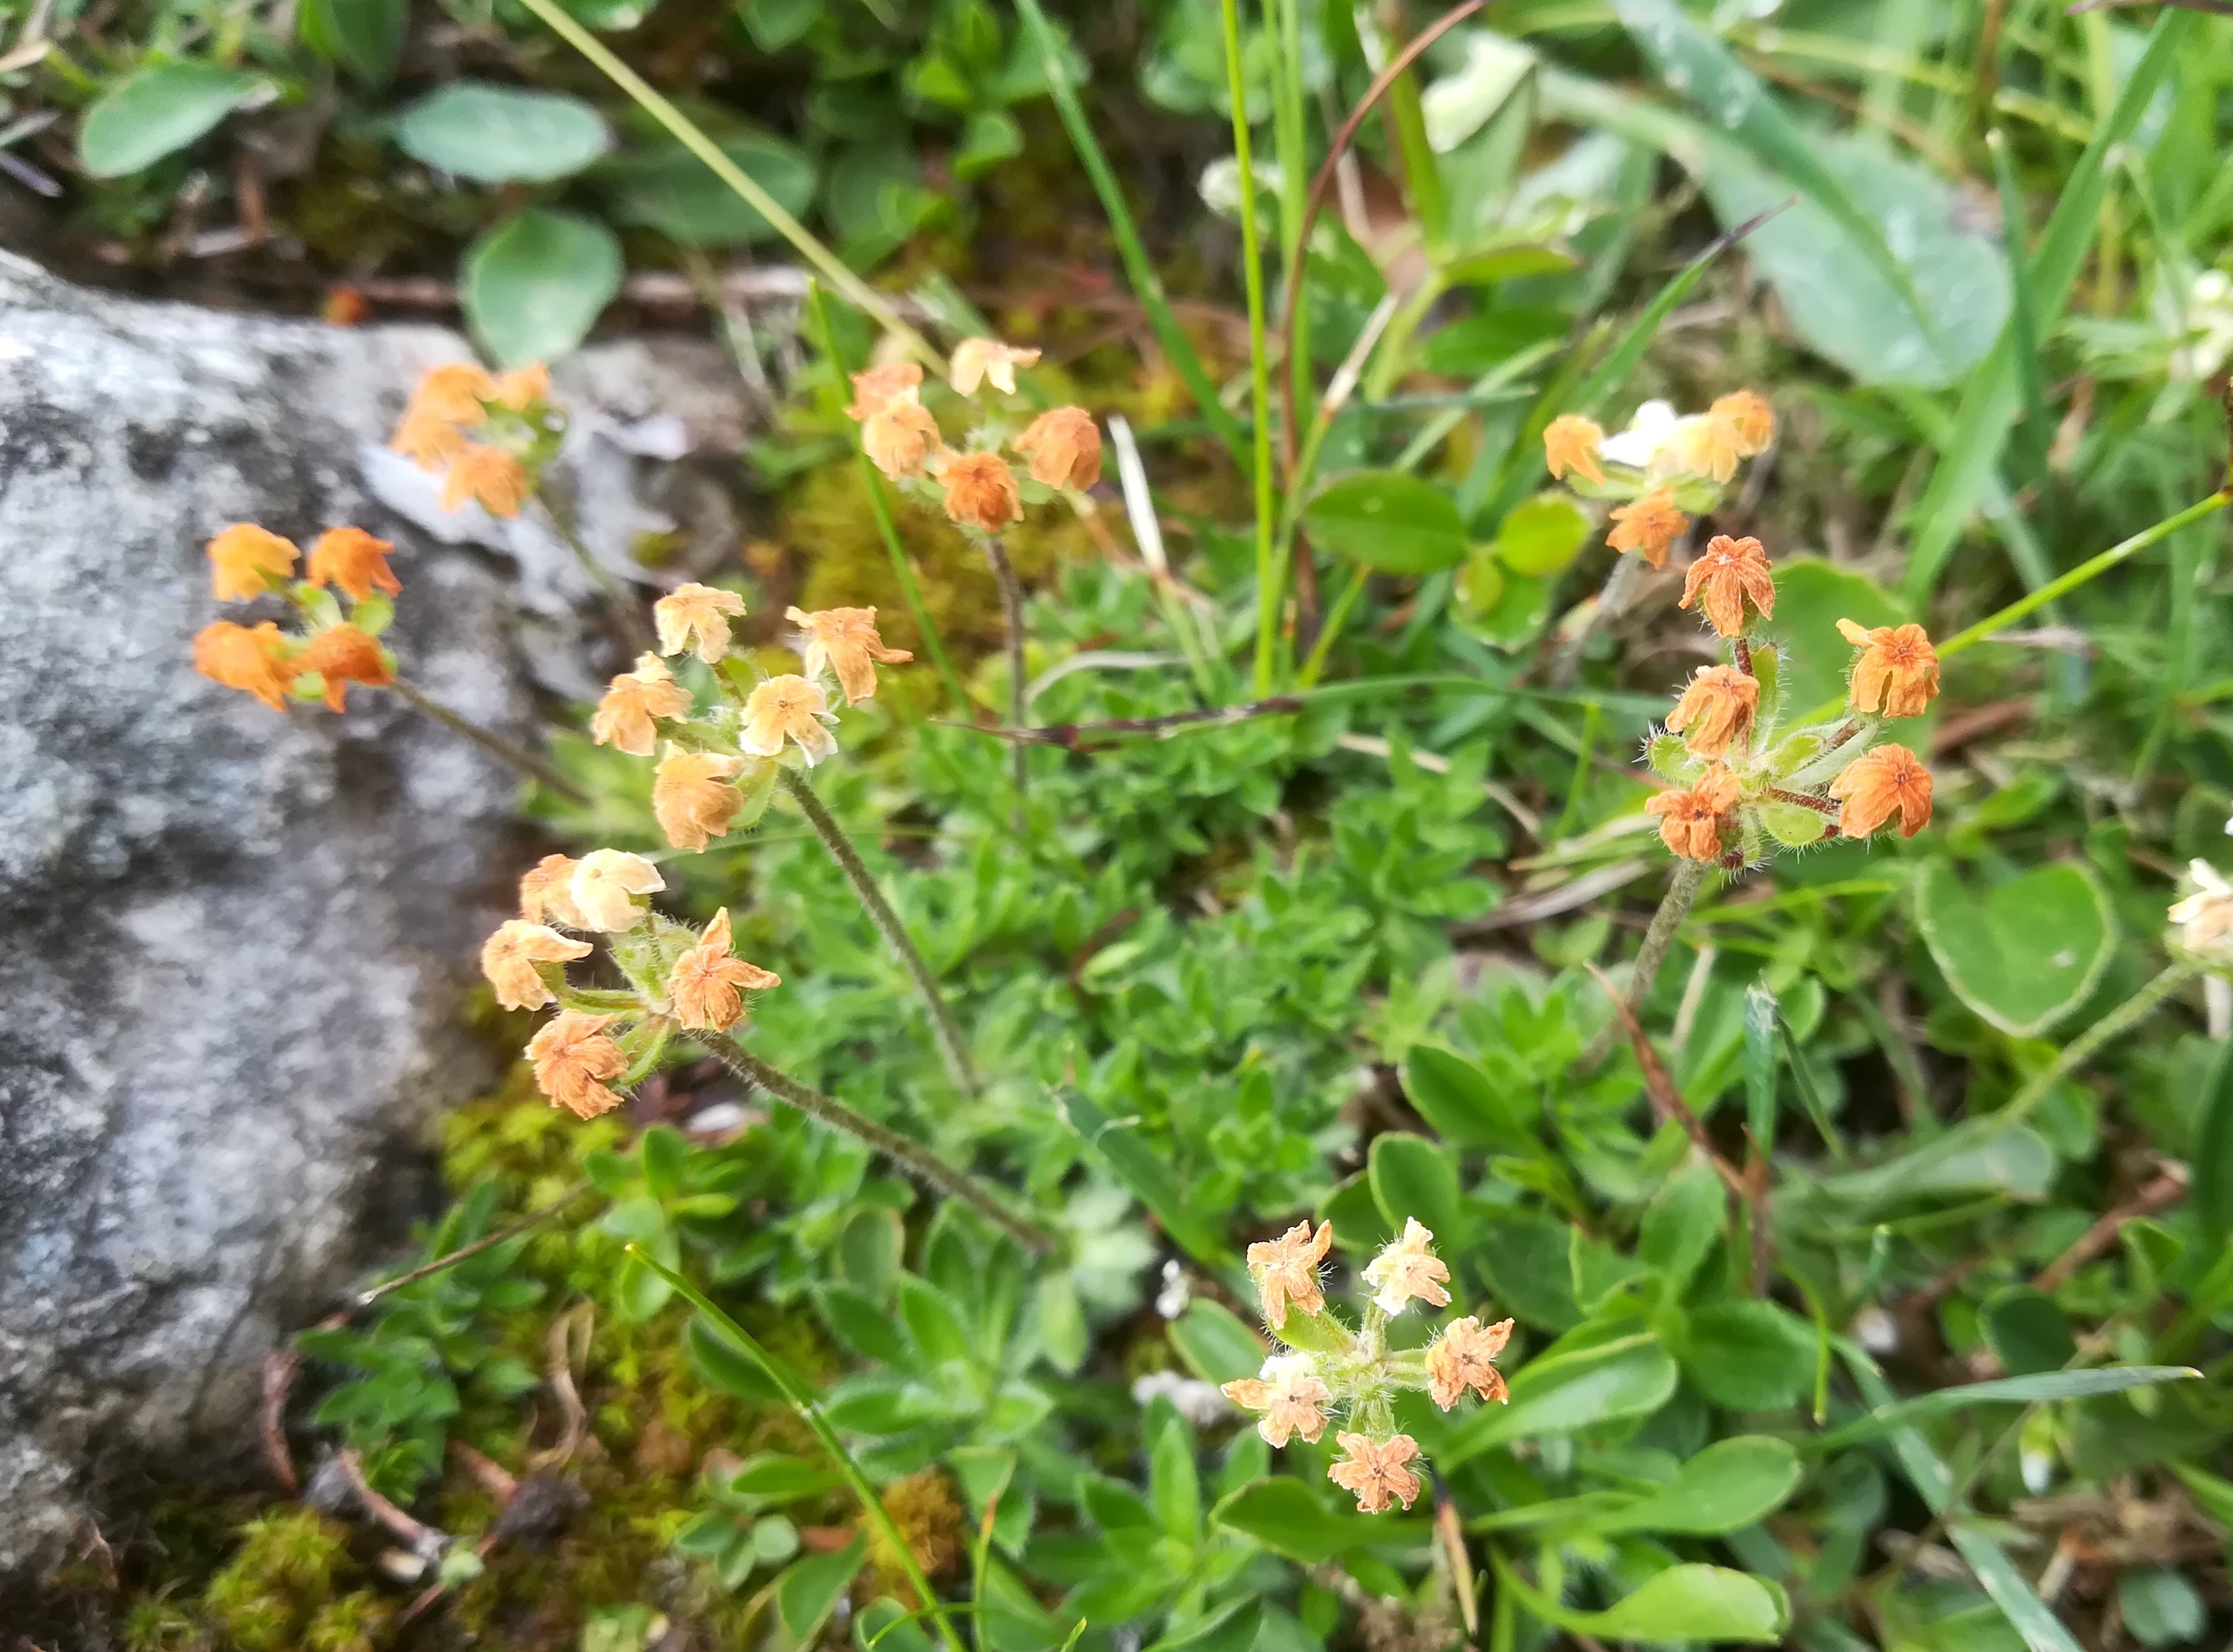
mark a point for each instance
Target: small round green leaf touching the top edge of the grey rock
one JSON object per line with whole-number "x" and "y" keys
{"x": 537, "y": 282}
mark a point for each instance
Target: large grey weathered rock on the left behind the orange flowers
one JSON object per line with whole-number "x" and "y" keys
{"x": 233, "y": 941}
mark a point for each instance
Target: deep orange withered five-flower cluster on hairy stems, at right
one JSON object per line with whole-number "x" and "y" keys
{"x": 1736, "y": 778}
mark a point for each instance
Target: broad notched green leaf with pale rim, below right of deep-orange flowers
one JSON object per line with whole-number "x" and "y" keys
{"x": 2026, "y": 952}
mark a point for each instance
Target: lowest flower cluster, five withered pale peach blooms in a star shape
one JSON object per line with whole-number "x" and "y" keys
{"x": 1332, "y": 1370}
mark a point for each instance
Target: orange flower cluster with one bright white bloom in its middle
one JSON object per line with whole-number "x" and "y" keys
{"x": 1665, "y": 468}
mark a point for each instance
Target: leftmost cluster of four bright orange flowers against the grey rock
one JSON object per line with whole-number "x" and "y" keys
{"x": 334, "y": 649}
